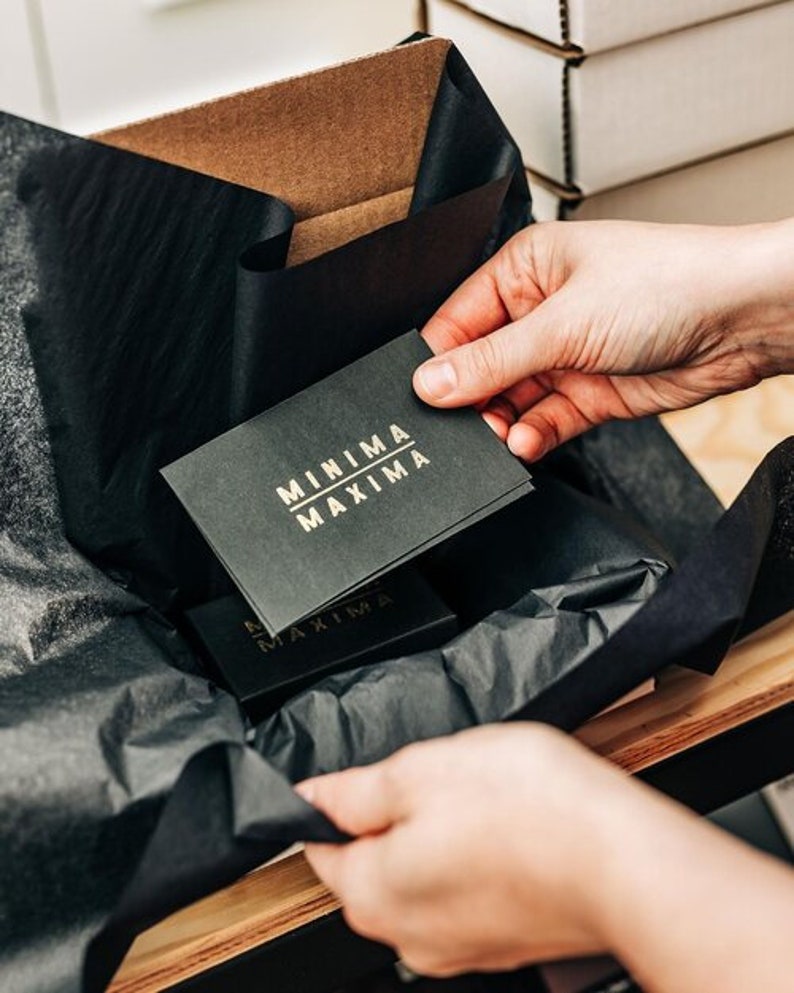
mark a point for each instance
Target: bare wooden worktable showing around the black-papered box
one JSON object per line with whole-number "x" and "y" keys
{"x": 725, "y": 438}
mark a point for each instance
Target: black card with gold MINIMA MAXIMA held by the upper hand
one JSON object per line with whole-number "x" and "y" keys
{"x": 341, "y": 483}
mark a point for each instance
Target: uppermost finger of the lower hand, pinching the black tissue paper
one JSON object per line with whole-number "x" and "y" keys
{"x": 359, "y": 801}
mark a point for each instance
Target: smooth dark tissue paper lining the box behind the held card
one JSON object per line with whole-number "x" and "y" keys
{"x": 95, "y": 208}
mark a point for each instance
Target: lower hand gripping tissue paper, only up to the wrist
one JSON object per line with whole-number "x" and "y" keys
{"x": 473, "y": 850}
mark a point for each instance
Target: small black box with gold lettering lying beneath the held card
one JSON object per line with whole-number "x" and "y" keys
{"x": 396, "y": 615}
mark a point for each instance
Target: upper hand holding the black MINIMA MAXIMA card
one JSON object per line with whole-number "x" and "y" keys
{"x": 573, "y": 324}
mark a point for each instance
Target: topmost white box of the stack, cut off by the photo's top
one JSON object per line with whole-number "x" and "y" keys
{"x": 596, "y": 25}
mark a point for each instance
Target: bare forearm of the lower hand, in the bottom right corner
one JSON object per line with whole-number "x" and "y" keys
{"x": 687, "y": 908}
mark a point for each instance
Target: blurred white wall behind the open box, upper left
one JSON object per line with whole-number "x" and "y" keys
{"x": 110, "y": 61}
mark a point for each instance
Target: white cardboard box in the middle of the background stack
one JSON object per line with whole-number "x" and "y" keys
{"x": 595, "y": 122}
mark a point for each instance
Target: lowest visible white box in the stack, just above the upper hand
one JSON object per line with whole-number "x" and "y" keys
{"x": 755, "y": 184}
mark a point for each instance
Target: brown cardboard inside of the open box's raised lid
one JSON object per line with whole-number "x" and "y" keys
{"x": 341, "y": 145}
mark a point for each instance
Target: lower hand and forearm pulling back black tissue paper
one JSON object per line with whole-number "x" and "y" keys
{"x": 512, "y": 844}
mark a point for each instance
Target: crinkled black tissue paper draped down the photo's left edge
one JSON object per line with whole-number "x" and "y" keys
{"x": 100, "y": 702}
